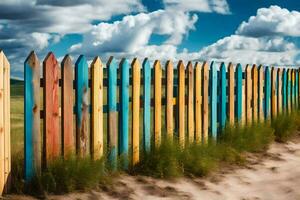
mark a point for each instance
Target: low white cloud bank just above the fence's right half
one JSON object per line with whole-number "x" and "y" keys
{"x": 245, "y": 50}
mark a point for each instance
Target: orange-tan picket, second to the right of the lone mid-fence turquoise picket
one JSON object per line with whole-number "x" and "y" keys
{"x": 169, "y": 99}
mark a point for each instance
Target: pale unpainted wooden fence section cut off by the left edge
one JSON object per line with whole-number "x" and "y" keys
{"x": 5, "y": 163}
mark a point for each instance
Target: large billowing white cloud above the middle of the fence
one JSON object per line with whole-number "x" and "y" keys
{"x": 133, "y": 32}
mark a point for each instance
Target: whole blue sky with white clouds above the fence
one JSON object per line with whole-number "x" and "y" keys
{"x": 247, "y": 31}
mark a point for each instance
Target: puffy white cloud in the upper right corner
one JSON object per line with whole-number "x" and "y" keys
{"x": 272, "y": 21}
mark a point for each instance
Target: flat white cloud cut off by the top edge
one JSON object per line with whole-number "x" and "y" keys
{"x": 218, "y": 6}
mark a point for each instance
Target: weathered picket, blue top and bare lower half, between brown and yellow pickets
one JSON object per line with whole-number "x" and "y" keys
{"x": 81, "y": 81}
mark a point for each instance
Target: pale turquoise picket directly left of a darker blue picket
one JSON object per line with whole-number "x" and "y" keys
{"x": 213, "y": 99}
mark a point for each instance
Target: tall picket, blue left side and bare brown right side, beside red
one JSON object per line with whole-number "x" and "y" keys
{"x": 32, "y": 137}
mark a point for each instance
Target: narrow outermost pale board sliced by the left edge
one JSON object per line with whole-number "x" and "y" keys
{"x": 2, "y": 137}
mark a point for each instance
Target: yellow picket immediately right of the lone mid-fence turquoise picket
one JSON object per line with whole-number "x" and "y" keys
{"x": 157, "y": 102}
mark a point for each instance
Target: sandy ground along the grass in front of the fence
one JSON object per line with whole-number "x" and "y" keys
{"x": 274, "y": 175}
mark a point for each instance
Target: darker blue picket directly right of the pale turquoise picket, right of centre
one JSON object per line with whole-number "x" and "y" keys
{"x": 223, "y": 103}
